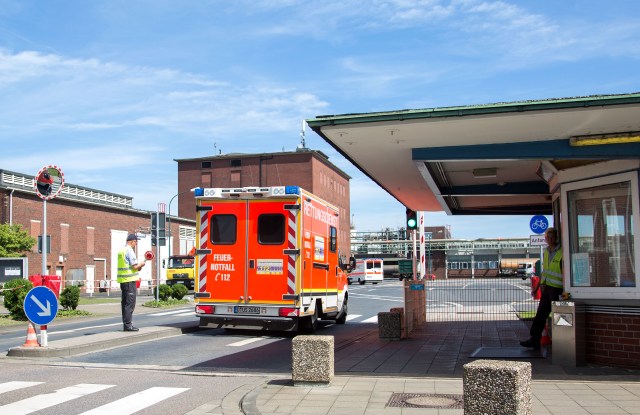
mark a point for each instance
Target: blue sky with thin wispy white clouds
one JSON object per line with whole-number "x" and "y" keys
{"x": 113, "y": 91}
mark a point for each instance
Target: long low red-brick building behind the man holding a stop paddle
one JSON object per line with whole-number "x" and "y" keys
{"x": 87, "y": 227}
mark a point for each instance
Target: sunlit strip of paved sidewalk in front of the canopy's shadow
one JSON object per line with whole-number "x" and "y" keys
{"x": 375, "y": 395}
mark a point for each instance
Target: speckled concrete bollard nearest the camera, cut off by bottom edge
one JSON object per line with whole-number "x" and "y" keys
{"x": 497, "y": 387}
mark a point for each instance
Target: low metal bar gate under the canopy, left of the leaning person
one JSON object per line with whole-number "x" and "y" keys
{"x": 479, "y": 299}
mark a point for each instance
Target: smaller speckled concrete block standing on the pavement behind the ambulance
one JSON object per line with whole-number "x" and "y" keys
{"x": 312, "y": 360}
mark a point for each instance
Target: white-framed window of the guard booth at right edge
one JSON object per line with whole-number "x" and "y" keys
{"x": 601, "y": 237}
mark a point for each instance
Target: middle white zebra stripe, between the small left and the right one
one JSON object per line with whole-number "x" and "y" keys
{"x": 46, "y": 400}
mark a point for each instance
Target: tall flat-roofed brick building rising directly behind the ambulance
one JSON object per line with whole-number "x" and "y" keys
{"x": 309, "y": 169}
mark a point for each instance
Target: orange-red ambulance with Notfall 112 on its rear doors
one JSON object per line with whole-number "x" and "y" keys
{"x": 267, "y": 258}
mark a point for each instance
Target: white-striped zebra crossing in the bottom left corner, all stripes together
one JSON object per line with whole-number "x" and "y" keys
{"x": 124, "y": 406}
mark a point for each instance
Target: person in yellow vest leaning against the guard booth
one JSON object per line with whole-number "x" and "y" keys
{"x": 551, "y": 285}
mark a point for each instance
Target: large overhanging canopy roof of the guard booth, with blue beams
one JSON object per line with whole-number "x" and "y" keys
{"x": 484, "y": 159}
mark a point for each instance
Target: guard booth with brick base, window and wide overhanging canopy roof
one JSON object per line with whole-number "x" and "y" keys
{"x": 577, "y": 159}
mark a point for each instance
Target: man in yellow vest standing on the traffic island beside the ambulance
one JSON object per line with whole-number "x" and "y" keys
{"x": 128, "y": 270}
